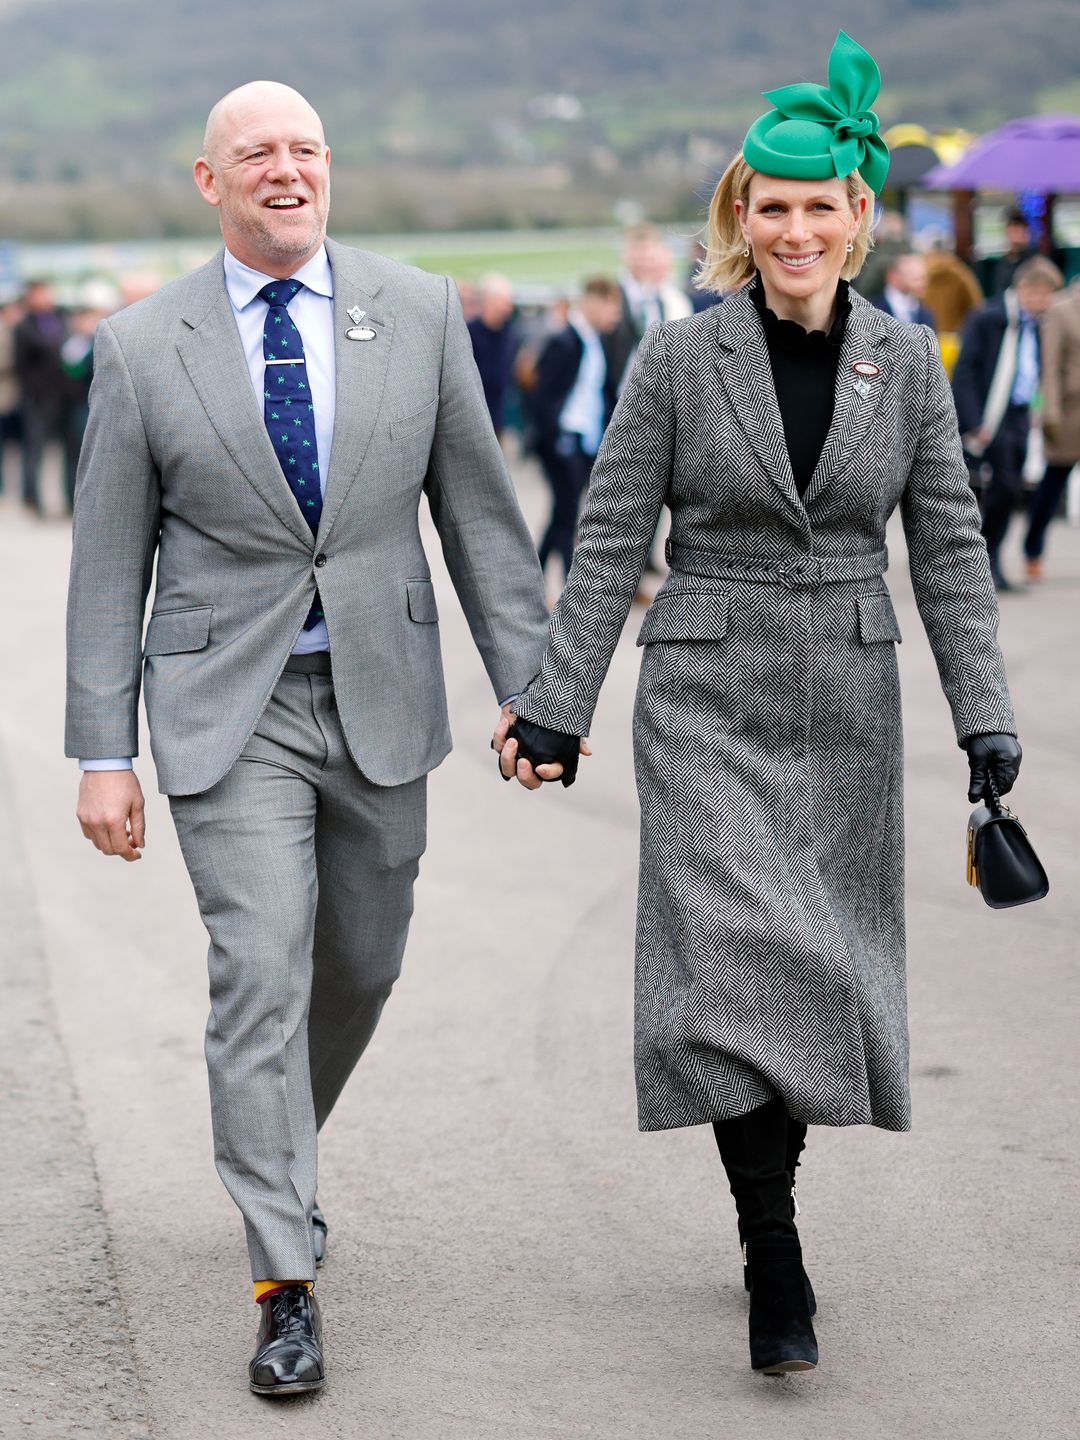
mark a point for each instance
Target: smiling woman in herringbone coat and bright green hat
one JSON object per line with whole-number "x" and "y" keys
{"x": 781, "y": 428}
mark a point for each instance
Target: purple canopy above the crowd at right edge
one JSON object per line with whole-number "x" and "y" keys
{"x": 1039, "y": 153}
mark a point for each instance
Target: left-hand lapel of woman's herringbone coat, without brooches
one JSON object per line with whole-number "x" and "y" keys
{"x": 745, "y": 369}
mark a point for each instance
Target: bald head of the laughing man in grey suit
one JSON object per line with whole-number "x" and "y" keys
{"x": 266, "y": 168}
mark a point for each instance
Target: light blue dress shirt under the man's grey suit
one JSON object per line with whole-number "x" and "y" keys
{"x": 313, "y": 310}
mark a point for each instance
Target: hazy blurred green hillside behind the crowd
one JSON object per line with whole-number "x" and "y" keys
{"x": 474, "y": 113}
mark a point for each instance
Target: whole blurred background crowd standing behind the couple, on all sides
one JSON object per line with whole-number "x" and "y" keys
{"x": 552, "y": 372}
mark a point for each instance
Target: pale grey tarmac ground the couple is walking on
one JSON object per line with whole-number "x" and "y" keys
{"x": 510, "y": 1259}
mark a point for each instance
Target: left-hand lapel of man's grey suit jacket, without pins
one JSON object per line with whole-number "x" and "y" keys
{"x": 212, "y": 355}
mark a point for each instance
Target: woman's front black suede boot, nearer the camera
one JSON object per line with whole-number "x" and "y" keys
{"x": 755, "y": 1150}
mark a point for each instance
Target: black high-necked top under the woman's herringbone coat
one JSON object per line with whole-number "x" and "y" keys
{"x": 804, "y": 371}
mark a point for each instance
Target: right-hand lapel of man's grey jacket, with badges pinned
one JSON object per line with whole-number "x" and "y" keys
{"x": 361, "y": 366}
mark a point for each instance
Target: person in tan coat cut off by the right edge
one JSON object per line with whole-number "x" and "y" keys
{"x": 1061, "y": 343}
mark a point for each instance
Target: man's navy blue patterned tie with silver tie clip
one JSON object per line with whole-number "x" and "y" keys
{"x": 289, "y": 410}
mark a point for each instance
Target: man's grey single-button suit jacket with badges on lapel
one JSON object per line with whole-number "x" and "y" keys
{"x": 178, "y": 469}
